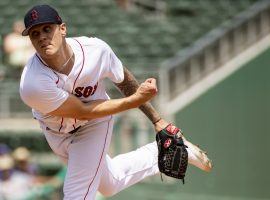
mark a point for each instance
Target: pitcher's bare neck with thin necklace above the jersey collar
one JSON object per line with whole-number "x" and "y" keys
{"x": 62, "y": 61}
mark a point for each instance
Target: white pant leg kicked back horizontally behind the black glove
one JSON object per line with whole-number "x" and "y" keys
{"x": 127, "y": 169}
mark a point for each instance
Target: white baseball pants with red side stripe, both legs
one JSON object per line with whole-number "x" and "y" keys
{"x": 90, "y": 169}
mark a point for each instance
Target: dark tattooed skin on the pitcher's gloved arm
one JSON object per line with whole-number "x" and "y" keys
{"x": 129, "y": 87}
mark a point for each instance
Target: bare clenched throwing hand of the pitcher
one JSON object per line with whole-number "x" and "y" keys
{"x": 146, "y": 91}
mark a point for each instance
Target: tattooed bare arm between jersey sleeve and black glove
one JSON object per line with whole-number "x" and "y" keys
{"x": 128, "y": 87}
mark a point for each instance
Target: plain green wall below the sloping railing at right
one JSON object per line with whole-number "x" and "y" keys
{"x": 231, "y": 121}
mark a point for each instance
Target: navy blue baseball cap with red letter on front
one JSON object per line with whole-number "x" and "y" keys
{"x": 40, "y": 14}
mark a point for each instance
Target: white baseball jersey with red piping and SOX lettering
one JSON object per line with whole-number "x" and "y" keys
{"x": 44, "y": 89}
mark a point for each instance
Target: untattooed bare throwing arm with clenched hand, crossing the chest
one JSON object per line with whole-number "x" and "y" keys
{"x": 74, "y": 108}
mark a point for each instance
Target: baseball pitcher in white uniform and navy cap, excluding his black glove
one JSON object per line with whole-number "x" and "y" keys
{"x": 63, "y": 84}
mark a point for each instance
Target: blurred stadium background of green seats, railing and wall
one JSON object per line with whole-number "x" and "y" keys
{"x": 211, "y": 58}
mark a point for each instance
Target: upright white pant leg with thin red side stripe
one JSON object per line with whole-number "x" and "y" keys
{"x": 86, "y": 158}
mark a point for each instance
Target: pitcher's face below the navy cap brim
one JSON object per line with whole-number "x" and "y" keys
{"x": 47, "y": 38}
